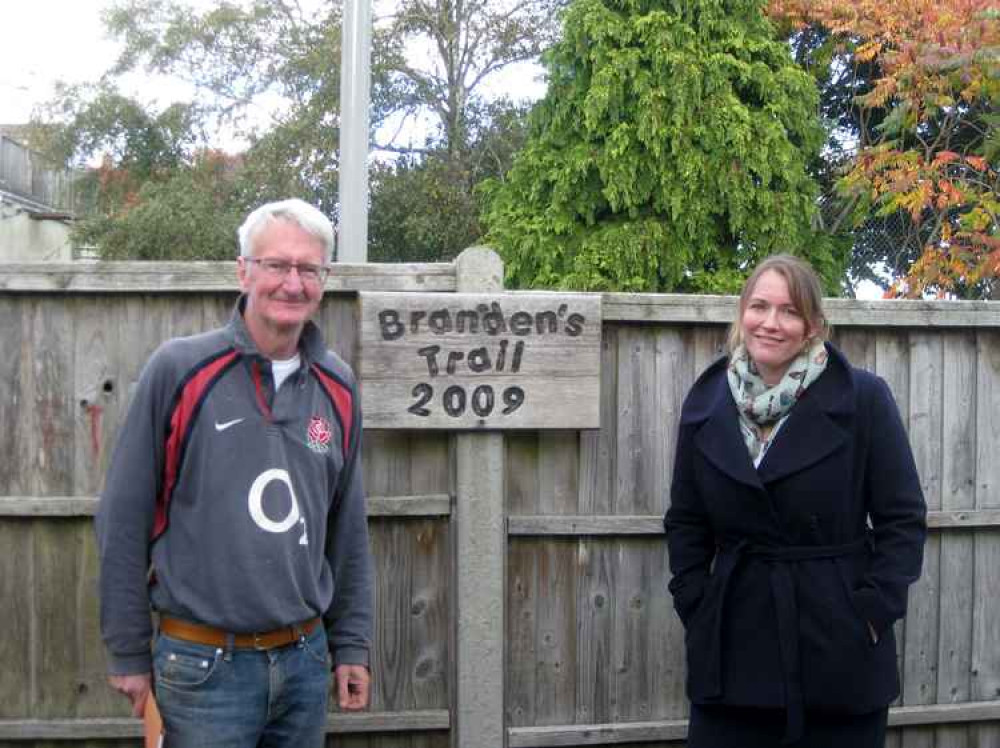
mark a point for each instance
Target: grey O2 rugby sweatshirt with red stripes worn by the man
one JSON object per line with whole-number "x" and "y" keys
{"x": 229, "y": 504}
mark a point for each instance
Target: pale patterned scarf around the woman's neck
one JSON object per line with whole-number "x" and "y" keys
{"x": 760, "y": 404}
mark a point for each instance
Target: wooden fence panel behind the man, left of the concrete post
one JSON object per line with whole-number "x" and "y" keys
{"x": 78, "y": 357}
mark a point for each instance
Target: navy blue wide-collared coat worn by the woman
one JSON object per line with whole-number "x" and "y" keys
{"x": 777, "y": 571}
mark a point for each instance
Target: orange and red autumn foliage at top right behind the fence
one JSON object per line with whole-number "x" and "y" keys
{"x": 939, "y": 63}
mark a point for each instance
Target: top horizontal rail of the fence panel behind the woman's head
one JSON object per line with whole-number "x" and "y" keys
{"x": 692, "y": 309}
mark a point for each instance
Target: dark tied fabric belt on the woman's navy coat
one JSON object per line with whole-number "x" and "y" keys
{"x": 779, "y": 560}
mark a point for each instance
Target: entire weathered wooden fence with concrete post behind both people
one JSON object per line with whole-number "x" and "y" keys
{"x": 521, "y": 589}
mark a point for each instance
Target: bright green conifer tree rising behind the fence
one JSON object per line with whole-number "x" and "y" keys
{"x": 669, "y": 154}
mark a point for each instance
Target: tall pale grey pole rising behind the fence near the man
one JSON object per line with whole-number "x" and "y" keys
{"x": 355, "y": 85}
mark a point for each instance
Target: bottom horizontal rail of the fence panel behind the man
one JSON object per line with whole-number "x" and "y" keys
{"x": 118, "y": 727}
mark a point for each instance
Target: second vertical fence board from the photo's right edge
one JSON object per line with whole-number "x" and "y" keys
{"x": 958, "y": 474}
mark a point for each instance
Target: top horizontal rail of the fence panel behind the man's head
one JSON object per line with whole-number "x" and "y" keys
{"x": 191, "y": 277}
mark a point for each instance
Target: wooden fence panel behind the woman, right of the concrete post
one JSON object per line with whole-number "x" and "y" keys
{"x": 628, "y": 659}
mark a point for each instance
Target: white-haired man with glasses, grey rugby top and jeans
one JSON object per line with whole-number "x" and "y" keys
{"x": 234, "y": 508}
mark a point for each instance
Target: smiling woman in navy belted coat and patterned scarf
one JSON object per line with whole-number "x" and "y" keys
{"x": 795, "y": 527}
